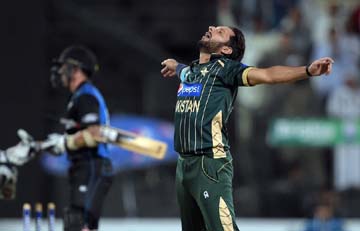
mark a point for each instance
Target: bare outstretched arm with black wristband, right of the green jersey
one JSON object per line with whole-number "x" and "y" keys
{"x": 284, "y": 74}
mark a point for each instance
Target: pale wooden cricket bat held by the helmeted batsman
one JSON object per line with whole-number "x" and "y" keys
{"x": 132, "y": 142}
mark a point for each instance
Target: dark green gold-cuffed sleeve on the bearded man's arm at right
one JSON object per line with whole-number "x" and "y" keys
{"x": 236, "y": 73}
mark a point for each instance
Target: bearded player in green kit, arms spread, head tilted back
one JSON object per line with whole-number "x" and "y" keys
{"x": 205, "y": 100}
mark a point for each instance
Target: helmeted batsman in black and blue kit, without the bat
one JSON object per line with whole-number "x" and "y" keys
{"x": 90, "y": 173}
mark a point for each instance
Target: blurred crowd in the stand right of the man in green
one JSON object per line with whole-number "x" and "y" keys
{"x": 304, "y": 180}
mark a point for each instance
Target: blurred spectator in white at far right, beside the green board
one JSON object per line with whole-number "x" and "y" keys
{"x": 344, "y": 104}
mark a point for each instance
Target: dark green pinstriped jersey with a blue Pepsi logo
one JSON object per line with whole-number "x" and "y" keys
{"x": 205, "y": 100}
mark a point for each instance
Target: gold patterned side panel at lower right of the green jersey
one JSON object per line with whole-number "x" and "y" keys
{"x": 218, "y": 146}
